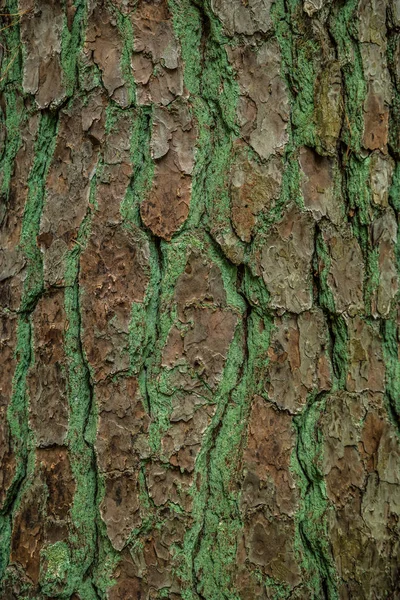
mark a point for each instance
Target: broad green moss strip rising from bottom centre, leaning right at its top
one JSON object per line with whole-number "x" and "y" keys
{"x": 210, "y": 546}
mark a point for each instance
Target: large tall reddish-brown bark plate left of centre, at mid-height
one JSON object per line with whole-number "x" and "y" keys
{"x": 114, "y": 274}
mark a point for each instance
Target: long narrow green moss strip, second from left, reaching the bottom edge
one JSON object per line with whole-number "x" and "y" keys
{"x": 81, "y": 425}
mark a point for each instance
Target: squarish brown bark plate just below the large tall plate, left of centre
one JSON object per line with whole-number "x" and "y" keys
{"x": 122, "y": 426}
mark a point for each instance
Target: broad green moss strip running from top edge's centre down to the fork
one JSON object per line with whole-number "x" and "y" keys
{"x": 211, "y": 81}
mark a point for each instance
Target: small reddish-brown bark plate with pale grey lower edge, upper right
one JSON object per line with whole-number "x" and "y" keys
{"x": 318, "y": 186}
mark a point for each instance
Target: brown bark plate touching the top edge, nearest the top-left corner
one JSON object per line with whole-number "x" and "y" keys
{"x": 41, "y": 23}
